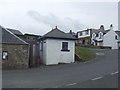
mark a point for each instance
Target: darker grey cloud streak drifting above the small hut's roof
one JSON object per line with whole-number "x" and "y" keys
{"x": 52, "y": 20}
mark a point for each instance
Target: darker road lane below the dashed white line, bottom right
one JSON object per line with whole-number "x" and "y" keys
{"x": 108, "y": 81}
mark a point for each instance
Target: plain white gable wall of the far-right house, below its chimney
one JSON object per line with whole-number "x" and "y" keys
{"x": 109, "y": 40}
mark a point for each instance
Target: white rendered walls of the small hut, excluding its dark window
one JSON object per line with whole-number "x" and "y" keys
{"x": 52, "y": 53}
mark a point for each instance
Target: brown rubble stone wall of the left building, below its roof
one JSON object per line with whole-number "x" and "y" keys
{"x": 18, "y": 56}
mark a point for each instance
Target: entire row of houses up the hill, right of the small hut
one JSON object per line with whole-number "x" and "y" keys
{"x": 99, "y": 37}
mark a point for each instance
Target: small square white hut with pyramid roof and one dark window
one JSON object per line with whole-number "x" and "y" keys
{"x": 57, "y": 47}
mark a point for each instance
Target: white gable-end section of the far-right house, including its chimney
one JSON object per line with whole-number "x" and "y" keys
{"x": 112, "y": 39}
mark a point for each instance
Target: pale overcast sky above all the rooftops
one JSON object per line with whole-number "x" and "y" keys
{"x": 40, "y": 16}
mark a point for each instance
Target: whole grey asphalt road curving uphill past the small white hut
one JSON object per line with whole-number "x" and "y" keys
{"x": 102, "y": 69}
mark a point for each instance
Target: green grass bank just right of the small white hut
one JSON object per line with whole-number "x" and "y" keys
{"x": 84, "y": 53}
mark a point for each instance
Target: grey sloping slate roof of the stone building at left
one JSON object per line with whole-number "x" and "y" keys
{"x": 9, "y": 38}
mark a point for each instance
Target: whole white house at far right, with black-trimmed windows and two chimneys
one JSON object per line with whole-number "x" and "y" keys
{"x": 107, "y": 38}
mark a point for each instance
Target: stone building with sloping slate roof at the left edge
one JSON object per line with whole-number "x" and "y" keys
{"x": 15, "y": 51}
